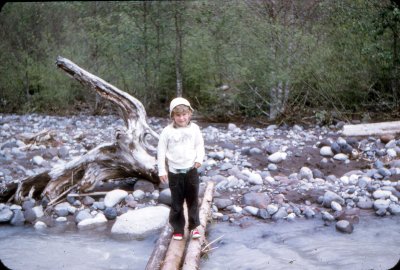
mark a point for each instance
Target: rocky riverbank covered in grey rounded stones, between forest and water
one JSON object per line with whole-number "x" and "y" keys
{"x": 268, "y": 173}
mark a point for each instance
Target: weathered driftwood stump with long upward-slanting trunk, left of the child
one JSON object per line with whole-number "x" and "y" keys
{"x": 130, "y": 155}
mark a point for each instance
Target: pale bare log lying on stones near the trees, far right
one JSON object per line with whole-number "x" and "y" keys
{"x": 372, "y": 129}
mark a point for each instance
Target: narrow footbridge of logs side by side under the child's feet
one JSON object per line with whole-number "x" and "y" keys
{"x": 185, "y": 254}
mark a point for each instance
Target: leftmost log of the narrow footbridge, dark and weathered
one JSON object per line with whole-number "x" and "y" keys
{"x": 161, "y": 247}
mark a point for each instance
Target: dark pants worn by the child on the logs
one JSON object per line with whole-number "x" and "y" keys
{"x": 184, "y": 186}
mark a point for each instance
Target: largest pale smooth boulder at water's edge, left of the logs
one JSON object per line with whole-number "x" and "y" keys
{"x": 137, "y": 224}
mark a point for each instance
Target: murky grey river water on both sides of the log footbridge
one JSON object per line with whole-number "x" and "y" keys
{"x": 302, "y": 244}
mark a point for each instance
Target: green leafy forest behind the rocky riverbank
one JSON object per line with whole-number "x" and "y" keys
{"x": 319, "y": 60}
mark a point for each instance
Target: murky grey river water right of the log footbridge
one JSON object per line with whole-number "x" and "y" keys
{"x": 305, "y": 244}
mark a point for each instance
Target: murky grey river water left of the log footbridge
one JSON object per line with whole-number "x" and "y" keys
{"x": 53, "y": 248}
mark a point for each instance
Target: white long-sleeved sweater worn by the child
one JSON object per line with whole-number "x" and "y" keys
{"x": 180, "y": 147}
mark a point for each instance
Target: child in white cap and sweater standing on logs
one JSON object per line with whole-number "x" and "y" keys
{"x": 180, "y": 152}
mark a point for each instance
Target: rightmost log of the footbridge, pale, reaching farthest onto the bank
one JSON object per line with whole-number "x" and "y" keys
{"x": 193, "y": 252}
